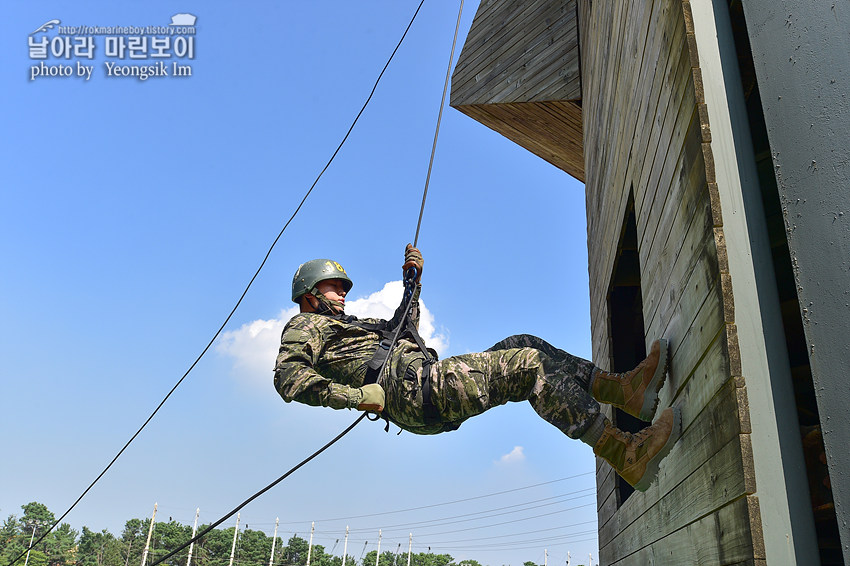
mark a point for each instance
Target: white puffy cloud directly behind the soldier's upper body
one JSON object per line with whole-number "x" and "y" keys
{"x": 253, "y": 347}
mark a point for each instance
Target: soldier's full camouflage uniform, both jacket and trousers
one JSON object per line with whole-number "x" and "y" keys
{"x": 322, "y": 361}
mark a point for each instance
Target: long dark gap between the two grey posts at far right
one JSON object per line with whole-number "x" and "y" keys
{"x": 823, "y": 506}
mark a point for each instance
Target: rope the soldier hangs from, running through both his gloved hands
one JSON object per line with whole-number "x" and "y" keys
{"x": 408, "y": 281}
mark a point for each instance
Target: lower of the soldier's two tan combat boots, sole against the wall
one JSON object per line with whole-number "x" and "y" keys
{"x": 635, "y": 457}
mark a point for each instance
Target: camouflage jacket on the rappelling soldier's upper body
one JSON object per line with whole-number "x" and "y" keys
{"x": 322, "y": 359}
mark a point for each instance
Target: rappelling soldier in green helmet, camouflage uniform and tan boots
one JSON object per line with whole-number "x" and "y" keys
{"x": 332, "y": 360}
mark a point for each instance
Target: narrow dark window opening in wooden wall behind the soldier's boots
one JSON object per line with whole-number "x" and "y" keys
{"x": 625, "y": 307}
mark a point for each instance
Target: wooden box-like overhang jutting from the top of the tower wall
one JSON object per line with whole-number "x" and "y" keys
{"x": 519, "y": 74}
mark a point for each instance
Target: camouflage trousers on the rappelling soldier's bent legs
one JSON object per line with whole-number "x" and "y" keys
{"x": 518, "y": 368}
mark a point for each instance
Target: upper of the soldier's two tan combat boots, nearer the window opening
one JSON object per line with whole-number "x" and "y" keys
{"x": 636, "y": 391}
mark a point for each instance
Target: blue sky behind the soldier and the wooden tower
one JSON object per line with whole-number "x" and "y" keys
{"x": 135, "y": 212}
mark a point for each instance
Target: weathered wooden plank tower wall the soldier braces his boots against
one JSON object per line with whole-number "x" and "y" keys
{"x": 646, "y": 133}
